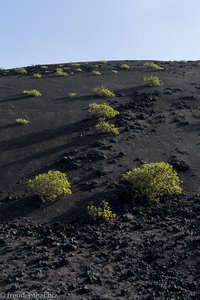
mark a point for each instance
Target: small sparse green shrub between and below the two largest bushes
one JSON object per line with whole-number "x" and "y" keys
{"x": 103, "y": 212}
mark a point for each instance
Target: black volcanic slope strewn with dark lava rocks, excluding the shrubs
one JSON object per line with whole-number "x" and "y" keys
{"x": 150, "y": 251}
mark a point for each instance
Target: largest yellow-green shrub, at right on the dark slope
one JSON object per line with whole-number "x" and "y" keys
{"x": 154, "y": 180}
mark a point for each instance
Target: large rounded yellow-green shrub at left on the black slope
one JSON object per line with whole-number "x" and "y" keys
{"x": 50, "y": 186}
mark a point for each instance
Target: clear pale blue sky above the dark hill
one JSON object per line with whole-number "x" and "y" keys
{"x": 58, "y": 31}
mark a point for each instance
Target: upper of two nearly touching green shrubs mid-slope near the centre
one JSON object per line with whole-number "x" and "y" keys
{"x": 102, "y": 111}
